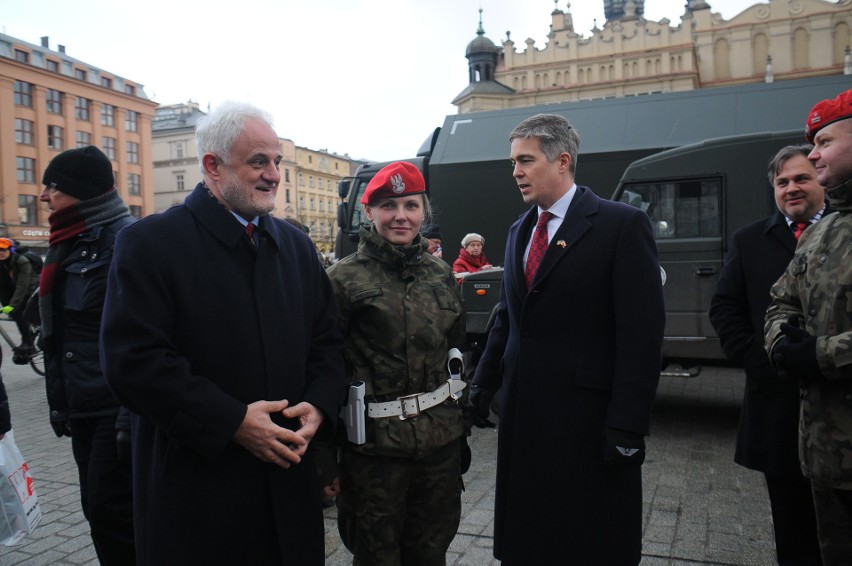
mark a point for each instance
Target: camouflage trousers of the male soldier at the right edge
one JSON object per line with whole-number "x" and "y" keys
{"x": 834, "y": 523}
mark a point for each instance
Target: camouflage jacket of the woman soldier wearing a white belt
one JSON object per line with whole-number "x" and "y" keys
{"x": 401, "y": 312}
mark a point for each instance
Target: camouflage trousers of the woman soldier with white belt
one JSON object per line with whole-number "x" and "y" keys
{"x": 400, "y": 511}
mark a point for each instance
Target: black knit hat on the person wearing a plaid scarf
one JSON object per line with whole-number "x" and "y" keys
{"x": 83, "y": 173}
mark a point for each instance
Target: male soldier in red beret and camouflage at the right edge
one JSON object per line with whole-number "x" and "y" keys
{"x": 809, "y": 331}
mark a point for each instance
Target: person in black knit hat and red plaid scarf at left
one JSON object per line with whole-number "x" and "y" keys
{"x": 86, "y": 213}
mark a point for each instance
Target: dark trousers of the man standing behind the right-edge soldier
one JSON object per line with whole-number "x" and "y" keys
{"x": 794, "y": 520}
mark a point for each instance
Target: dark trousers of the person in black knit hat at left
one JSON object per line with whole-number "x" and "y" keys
{"x": 106, "y": 489}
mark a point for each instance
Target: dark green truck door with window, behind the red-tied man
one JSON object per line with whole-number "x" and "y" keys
{"x": 685, "y": 215}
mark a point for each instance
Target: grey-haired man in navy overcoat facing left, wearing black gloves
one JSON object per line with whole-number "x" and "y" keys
{"x": 577, "y": 352}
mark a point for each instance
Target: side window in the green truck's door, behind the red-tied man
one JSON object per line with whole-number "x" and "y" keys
{"x": 681, "y": 209}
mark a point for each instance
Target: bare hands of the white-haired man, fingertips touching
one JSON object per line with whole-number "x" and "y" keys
{"x": 273, "y": 443}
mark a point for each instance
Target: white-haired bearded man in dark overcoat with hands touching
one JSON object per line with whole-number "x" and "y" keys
{"x": 220, "y": 333}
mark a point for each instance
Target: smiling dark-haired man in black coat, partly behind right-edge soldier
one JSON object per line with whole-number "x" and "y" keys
{"x": 767, "y": 434}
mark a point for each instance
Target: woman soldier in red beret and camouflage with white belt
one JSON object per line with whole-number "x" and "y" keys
{"x": 399, "y": 496}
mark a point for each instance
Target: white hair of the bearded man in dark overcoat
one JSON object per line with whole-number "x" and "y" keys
{"x": 216, "y": 132}
